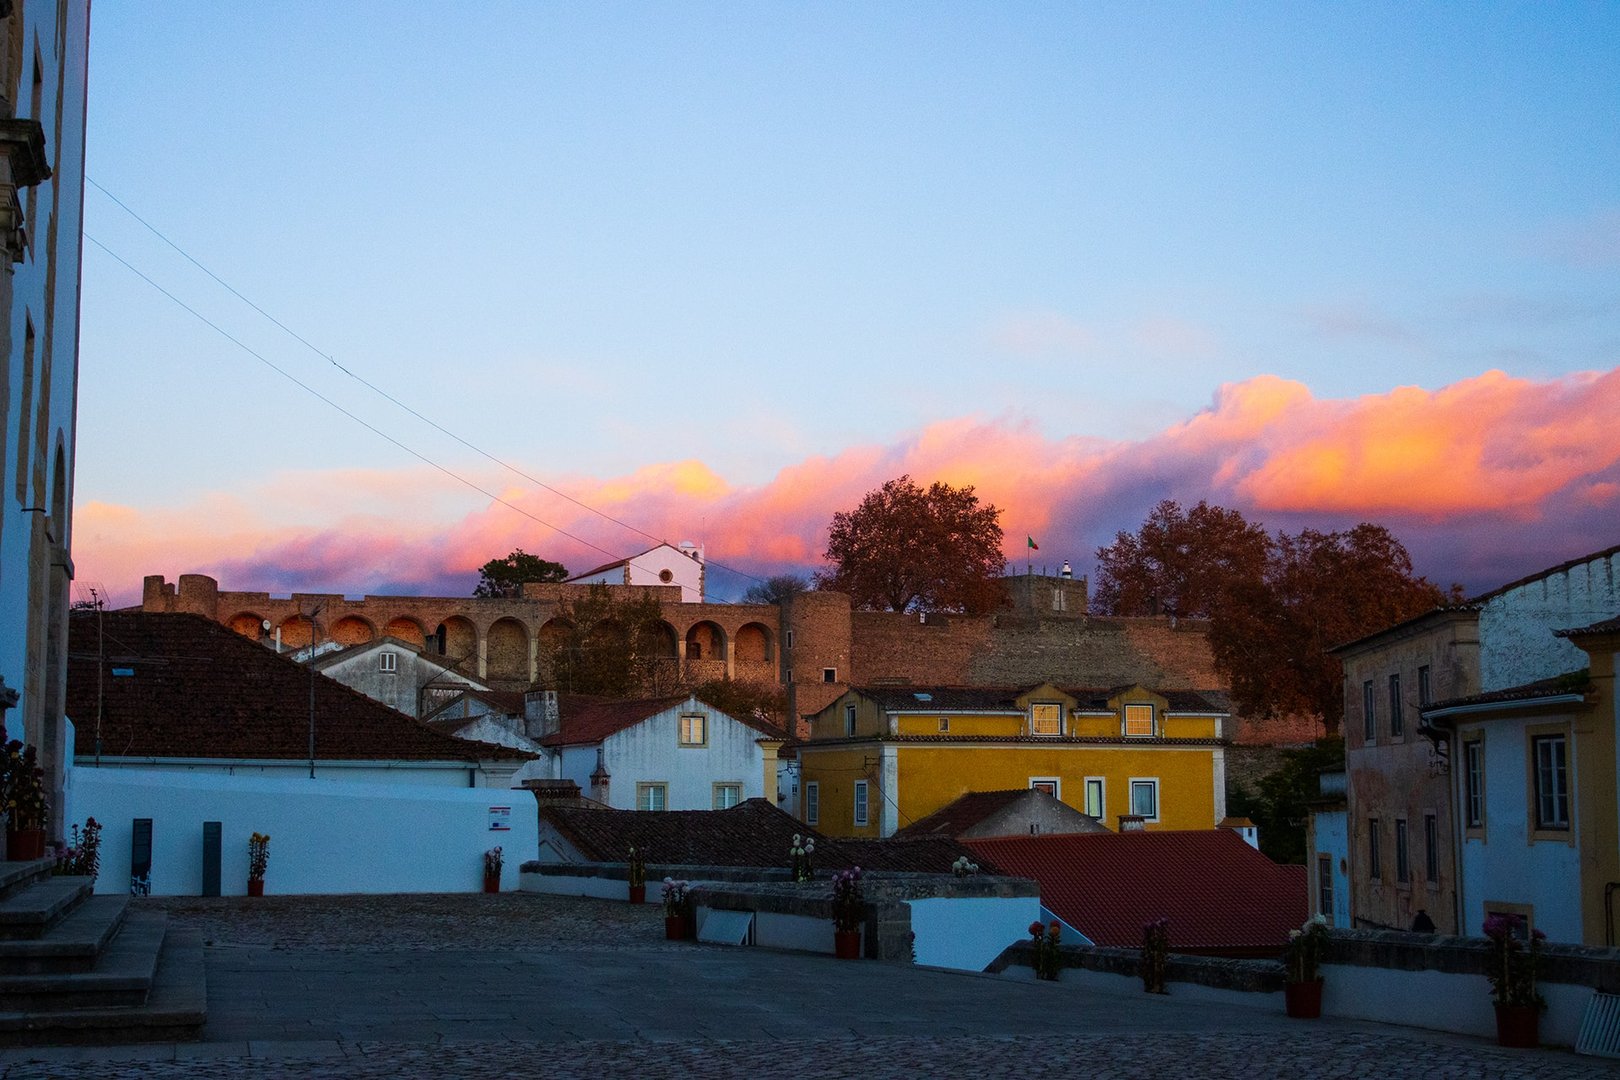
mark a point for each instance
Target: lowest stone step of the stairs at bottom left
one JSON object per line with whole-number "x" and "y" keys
{"x": 174, "y": 1011}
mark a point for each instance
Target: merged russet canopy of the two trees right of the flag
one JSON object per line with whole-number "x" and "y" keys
{"x": 1276, "y": 605}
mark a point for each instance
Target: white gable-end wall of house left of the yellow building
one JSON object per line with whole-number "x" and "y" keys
{"x": 650, "y": 754}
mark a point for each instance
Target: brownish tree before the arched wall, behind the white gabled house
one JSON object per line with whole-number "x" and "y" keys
{"x": 616, "y": 647}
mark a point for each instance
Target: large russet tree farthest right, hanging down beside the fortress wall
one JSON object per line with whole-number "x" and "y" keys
{"x": 1273, "y": 637}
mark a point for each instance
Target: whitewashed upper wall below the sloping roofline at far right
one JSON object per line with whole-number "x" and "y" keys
{"x": 1516, "y": 629}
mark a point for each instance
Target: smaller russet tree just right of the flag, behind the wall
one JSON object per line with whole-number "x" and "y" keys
{"x": 1180, "y": 561}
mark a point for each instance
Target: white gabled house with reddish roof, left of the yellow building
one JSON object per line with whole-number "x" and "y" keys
{"x": 667, "y": 754}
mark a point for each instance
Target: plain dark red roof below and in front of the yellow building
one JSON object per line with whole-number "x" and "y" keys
{"x": 1219, "y": 895}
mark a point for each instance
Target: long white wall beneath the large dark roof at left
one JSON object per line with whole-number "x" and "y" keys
{"x": 326, "y": 836}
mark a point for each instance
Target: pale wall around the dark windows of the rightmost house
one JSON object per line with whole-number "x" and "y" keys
{"x": 1506, "y": 867}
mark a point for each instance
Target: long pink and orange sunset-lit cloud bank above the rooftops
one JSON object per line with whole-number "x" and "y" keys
{"x": 1488, "y": 457}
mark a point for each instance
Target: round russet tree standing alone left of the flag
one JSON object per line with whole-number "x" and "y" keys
{"x": 918, "y": 548}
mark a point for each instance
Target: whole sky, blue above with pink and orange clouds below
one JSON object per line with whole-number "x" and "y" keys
{"x": 712, "y": 273}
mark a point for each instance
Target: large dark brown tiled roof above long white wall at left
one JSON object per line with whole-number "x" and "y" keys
{"x": 195, "y": 689}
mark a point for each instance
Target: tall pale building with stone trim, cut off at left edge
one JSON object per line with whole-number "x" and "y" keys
{"x": 43, "y": 90}
